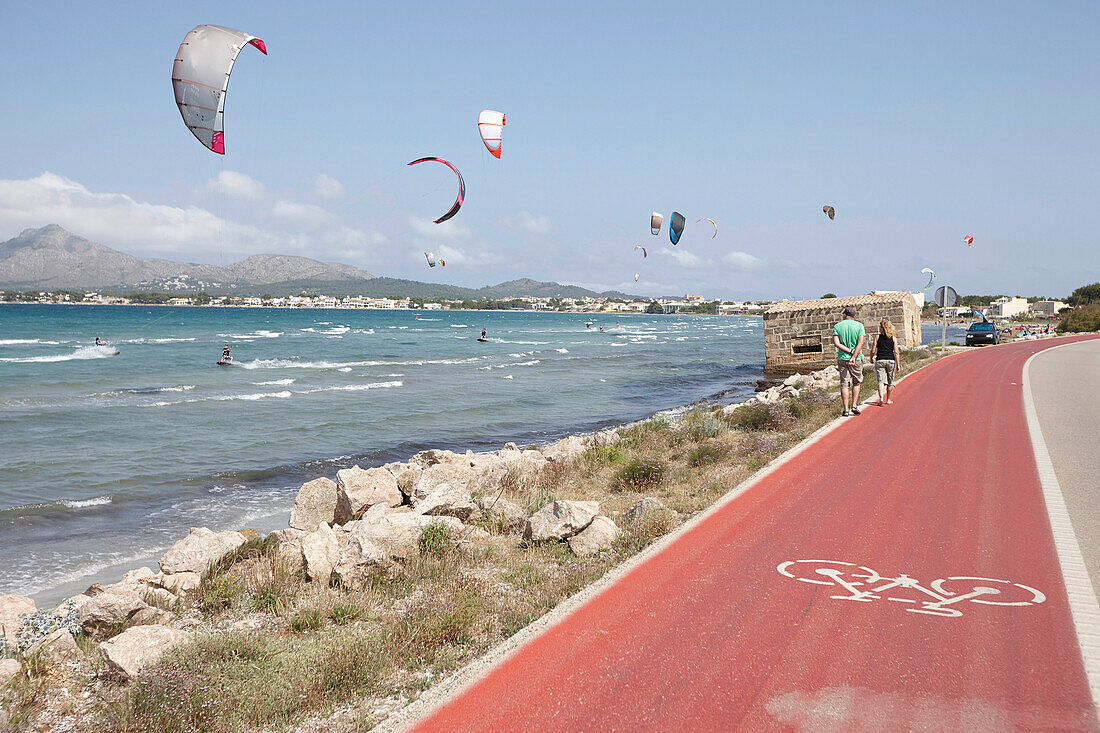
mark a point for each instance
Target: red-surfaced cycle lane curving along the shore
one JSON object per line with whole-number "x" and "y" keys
{"x": 708, "y": 634}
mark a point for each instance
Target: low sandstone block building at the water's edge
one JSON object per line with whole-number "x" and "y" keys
{"x": 798, "y": 335}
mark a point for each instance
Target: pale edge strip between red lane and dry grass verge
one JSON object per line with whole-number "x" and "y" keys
{"x": 477, "y": 670}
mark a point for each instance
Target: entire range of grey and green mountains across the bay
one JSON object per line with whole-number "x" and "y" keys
{"x": 52, "y": 258}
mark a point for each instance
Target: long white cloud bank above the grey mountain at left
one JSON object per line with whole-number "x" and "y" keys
{"x": 120, "y": 221}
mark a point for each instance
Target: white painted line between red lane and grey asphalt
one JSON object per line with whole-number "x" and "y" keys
{"x": 1083, "y": 600}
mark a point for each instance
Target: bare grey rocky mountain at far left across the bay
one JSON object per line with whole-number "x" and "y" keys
{"x": 52, "y": 258}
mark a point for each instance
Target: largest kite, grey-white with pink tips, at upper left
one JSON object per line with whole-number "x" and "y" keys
{"x": 201, "y": 78}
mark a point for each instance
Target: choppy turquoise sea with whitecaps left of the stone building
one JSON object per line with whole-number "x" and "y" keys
{"x": 109, "y": 458}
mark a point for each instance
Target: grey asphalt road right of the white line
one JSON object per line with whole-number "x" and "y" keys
{"x": 1066, "y": 389}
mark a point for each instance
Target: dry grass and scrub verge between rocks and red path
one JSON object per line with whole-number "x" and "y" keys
{"x": 269, "y": 650}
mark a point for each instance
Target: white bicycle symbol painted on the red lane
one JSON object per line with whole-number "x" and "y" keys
{"x": 866, "y": 585}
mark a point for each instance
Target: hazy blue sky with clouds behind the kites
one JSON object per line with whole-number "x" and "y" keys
{"x": 919, "y": 123}
